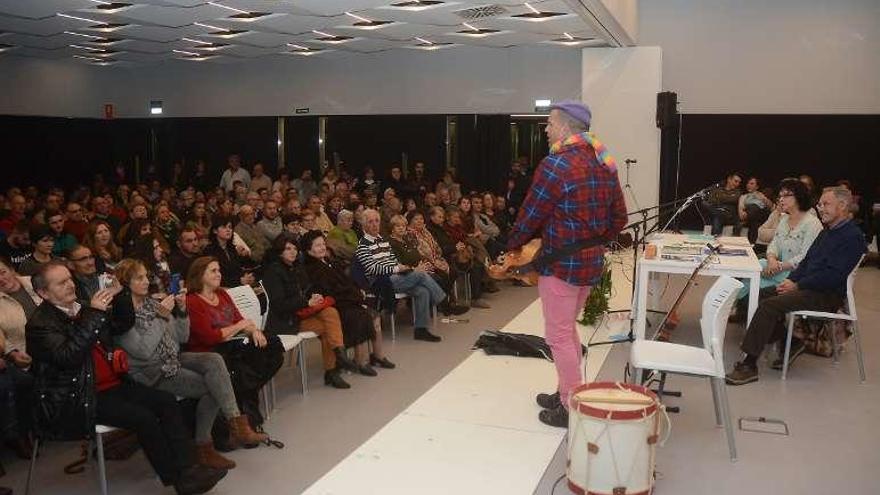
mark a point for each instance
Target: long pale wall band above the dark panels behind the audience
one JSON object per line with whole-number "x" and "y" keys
{"x": 459, "y": 80}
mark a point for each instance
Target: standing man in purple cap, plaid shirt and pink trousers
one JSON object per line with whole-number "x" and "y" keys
{"x": 575, "y": 199}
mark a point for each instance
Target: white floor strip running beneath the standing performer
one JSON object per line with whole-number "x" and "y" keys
{"x": 475, "y": 431}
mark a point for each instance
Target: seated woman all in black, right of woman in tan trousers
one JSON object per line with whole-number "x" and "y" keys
{"x": 330, "y": 280}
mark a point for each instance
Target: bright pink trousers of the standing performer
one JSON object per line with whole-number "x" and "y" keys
{"x": 562, "y": 304}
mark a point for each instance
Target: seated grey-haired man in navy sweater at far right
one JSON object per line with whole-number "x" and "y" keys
{"x": 818, "y": 283}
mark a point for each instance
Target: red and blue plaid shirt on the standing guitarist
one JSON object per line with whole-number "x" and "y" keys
{"x": 574, "y": 197}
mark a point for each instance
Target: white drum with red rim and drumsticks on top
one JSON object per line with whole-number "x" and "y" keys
{"x": 613, "y": 429}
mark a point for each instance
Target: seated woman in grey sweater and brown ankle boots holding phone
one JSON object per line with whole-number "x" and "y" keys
{"x": 156, "y": 328}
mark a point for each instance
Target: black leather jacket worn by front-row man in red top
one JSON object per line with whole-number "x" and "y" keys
{"x": 64, "y": 390}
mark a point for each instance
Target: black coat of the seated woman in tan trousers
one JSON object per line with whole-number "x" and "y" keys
{"x": 287, "y": 288}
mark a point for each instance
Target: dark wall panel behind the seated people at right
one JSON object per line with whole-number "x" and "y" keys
{"x": 827, "y": 147}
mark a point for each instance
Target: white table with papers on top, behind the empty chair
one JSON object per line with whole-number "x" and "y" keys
{"x": 743, "y": 267}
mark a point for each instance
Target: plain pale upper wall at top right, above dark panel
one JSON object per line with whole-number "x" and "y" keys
{"x": 760, "y": 56}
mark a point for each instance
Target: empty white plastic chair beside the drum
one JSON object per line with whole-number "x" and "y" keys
{"x": 706, "y": 361}
